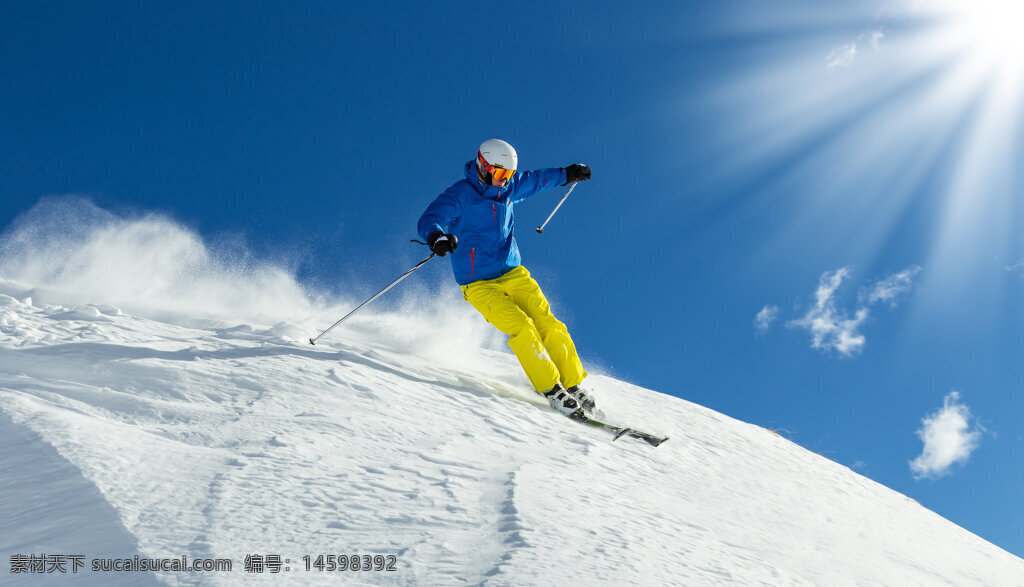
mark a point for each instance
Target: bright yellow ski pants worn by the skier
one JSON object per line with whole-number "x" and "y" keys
{"x": 516, "y": 306}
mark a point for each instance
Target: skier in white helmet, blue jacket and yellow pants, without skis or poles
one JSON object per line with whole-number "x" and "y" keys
{"x": 474, "y": 221}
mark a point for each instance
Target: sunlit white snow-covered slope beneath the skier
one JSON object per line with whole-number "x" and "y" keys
{"x": 125, "y": 436}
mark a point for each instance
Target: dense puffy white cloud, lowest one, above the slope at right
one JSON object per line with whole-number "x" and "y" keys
{"x": 950, "y": 438}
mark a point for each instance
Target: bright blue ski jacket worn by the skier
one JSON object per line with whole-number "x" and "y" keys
{"x": 481, "y": 217}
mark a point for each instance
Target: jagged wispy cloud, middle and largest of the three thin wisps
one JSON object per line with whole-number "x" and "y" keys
{"x": 831, "y": 329}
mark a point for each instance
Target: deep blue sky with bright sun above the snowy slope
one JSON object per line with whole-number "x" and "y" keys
{"x": 850, "y": 171}
